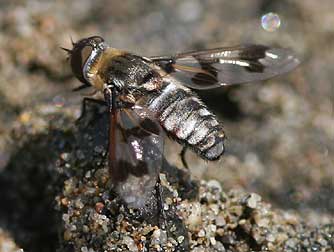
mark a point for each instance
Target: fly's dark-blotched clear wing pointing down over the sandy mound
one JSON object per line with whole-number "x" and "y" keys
{"x": 135, "y": 154}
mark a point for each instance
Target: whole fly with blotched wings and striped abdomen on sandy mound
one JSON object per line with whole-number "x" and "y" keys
{"x": 148, "y": 97}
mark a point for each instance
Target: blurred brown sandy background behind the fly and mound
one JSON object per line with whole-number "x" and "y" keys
{"x": 279, "y": 132}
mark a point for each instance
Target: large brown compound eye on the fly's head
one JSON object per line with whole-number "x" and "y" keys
{"x": 79, "y": 58}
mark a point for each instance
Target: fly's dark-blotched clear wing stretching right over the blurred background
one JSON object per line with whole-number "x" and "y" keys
{"x": 226, "y": 66}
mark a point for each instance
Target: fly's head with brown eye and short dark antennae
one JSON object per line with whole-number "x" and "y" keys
{"x": 84, "y": 59}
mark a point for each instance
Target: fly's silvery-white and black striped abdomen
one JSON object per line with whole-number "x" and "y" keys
{"x": 187, "y": 119}
